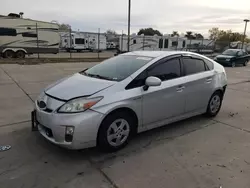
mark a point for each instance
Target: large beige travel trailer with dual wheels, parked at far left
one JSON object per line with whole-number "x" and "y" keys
{"x": 25, "y": 36}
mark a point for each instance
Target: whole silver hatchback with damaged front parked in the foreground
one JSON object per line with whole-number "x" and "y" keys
{"x": 107, "y": 104}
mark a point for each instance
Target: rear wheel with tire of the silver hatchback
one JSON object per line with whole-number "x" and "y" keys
{"x": 214, "y": 104}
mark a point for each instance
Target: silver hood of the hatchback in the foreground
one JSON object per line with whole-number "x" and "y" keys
{"x": 77, "y": 85}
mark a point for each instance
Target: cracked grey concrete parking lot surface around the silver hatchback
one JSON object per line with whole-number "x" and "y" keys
{"x": 198, "y": 152}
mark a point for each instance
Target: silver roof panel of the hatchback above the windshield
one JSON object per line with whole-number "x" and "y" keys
{"x": 155, "y": 54}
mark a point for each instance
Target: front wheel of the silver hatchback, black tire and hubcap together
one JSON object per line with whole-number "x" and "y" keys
{"x": 115, "y": 131}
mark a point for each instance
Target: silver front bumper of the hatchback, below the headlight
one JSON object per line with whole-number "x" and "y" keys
{"x": 52, "y": 126}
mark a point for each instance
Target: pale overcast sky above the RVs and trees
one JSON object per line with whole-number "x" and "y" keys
{"x": 164, "y": 15}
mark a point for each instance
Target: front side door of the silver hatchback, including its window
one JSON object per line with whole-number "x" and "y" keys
{"x": 168, "y": 100}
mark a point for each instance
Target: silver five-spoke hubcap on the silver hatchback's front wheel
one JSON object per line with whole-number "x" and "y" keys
{"x": 118, "y": 132}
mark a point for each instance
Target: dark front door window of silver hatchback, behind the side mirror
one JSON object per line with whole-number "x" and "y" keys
{"x": 166, "y": 71}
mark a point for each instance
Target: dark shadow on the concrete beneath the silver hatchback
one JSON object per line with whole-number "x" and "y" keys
{"x": 47, "y": 152}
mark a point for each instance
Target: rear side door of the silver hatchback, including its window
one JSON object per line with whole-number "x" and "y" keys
{"x": 199, "y": 83}
